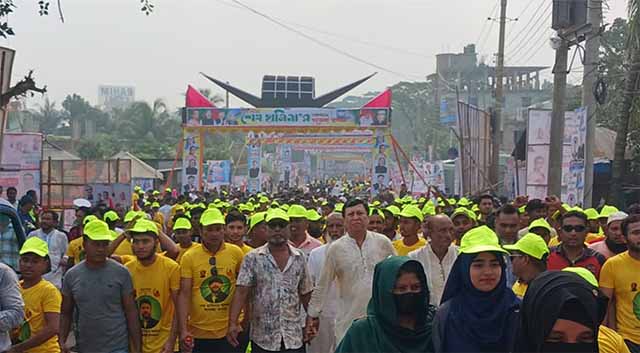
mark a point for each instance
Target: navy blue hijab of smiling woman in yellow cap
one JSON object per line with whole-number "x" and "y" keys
{"x": 478, "y": 321}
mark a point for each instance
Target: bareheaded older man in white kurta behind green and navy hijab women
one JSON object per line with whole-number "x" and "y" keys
{"x": 438, "y": 256}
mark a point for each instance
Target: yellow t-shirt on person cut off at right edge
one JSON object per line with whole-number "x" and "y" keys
{"x": 620, "y": 273}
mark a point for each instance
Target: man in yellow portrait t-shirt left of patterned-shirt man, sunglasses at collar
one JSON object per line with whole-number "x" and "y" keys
{"x": 207, "y": 284}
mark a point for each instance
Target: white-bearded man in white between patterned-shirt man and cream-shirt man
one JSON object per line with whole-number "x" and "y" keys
{"x": 326, "y": 339}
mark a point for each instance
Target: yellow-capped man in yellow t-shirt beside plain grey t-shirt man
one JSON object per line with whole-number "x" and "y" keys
{"x": 156, "y": 282}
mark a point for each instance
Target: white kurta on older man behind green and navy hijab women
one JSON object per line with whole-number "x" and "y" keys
{"x": 437, "y": 271}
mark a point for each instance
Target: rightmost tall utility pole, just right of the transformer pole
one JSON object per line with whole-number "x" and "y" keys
{"x": 592, "y": 46}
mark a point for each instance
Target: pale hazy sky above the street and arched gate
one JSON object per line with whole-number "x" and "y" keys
{"x": 112, "y": 42}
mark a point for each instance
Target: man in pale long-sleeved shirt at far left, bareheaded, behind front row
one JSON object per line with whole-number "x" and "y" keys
{"x": 57, "y": 242}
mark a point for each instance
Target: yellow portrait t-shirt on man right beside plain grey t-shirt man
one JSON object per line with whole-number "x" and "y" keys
{"x": 152, "y": 287}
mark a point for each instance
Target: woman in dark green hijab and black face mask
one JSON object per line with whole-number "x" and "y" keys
{"x": 398, "y": 316}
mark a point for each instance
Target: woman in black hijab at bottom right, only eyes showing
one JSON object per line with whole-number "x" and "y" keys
{"x": 562, "y": 312}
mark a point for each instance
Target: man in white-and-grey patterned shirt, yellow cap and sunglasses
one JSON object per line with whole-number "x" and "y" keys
{"x": 275, "y": 281}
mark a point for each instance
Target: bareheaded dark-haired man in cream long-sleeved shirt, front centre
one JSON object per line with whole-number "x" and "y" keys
{"x": 350, "y": 262}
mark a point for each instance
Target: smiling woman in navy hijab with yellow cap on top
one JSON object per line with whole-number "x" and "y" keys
{"x": 479, "y": 313}
